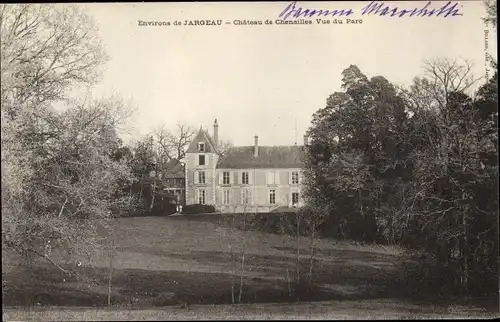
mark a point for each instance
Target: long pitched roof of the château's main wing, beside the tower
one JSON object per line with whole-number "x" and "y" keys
{"x": 242, "y": 157}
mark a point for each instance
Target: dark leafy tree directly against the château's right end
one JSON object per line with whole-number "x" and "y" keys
{"x": 356, "y": 152}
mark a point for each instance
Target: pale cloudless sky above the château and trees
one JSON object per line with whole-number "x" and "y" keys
{"x": 265, "y": 80}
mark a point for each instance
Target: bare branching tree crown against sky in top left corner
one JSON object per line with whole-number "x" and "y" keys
{"x": 47, "y": 49}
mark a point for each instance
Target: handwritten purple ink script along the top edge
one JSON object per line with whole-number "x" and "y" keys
{"x": 376, "y": 8}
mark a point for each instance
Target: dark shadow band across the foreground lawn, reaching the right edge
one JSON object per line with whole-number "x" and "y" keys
{"x": 140, "y": 288}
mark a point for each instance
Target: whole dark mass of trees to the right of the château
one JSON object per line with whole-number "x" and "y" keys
{"x": 413, "y": 166}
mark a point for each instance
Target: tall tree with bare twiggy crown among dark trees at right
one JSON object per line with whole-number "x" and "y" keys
{"x": 455, "y": 139}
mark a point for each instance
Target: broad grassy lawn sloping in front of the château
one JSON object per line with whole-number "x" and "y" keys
{"x": 183, "y": 263}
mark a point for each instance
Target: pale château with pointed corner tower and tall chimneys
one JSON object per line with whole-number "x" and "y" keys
{"x": 245, "y": 178}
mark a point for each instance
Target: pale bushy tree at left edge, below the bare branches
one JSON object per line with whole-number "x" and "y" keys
{"x": 63, "y": 188}
